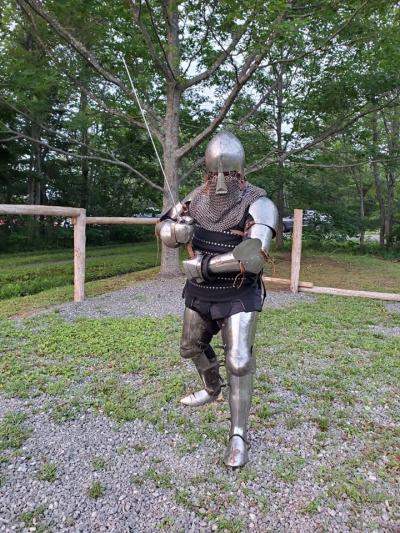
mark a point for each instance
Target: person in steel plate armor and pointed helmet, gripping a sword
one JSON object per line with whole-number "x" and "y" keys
{"x": 228, "y": 225}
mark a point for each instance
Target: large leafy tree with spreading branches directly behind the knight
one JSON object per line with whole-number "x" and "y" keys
{"x": 261, "y": 64}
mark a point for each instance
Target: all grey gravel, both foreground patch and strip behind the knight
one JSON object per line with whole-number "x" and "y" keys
{"x": 150, "y": 483}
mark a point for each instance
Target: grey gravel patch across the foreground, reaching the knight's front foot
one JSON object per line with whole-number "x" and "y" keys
{"x": 135, "y": 501}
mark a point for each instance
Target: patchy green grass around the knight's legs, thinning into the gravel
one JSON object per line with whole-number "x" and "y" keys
{"x": 319, "y": 364}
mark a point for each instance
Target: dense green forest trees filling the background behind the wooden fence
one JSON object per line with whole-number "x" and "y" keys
{"x": 311, "y": 89}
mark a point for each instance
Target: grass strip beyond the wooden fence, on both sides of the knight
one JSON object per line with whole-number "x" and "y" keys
{"x": 46, "y": 278}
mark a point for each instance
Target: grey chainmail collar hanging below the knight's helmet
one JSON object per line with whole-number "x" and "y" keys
{"x": 216, "y": 212}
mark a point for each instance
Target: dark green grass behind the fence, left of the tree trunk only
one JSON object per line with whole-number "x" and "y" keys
{"x": 29, "y": 273}
